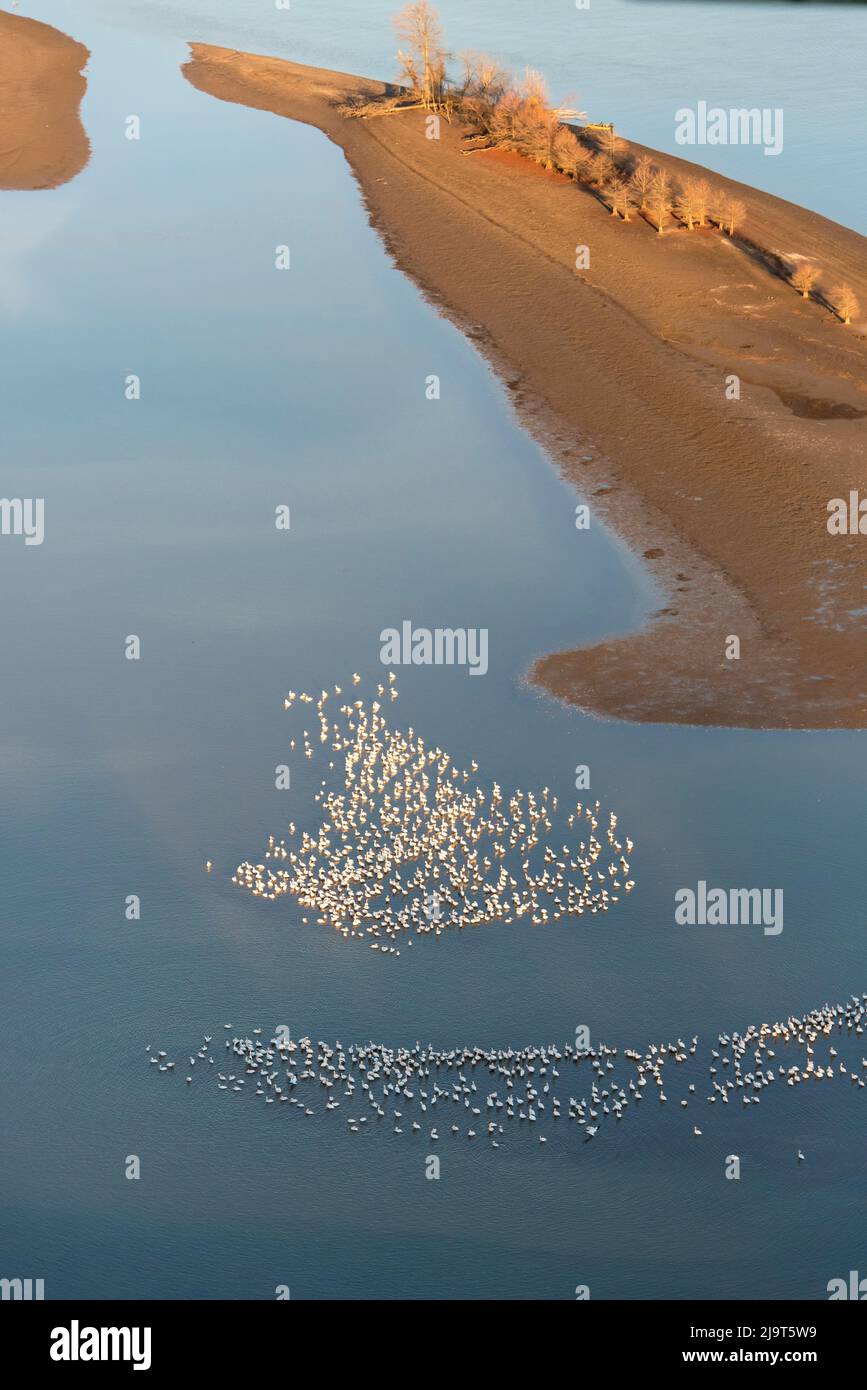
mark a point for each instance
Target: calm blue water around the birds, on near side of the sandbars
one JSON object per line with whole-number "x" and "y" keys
{"x": 308, "y": 389}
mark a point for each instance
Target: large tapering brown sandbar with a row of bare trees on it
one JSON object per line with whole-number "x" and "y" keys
{"x": 626, "y": 366}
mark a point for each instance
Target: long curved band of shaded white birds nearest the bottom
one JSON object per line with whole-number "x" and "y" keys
{"x": 473, "y": 1092}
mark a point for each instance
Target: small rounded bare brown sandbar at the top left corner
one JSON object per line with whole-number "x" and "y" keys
{"x": 42, "y": 140}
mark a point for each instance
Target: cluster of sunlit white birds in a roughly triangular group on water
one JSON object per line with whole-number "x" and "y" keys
{"x": 411, "y": 844}
